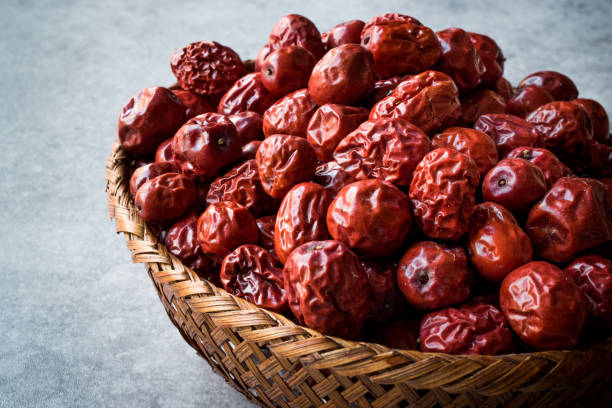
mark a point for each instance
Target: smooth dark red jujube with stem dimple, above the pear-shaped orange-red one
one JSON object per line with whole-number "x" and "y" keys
{"x": 515, "y": 184}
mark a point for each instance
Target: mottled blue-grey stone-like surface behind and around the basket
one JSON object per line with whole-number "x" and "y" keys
{"x": 80, "y": 325}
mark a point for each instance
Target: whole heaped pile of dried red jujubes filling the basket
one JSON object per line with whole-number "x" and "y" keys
{"x": 383, "y": 182}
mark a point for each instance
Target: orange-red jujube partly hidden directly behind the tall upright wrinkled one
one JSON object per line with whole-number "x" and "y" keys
{"x": 474, "y": 143}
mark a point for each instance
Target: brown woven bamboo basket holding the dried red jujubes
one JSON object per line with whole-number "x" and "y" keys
{"x": 275, "y": 362}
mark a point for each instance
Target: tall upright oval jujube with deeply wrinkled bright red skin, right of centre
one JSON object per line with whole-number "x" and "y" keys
{"x": 443, "y": 193}
